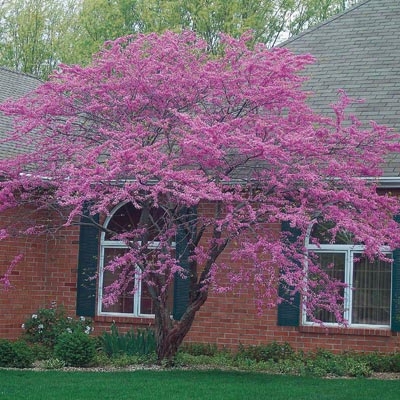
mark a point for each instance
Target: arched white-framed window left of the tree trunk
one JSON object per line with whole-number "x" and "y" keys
{"x": 136, "y": 300}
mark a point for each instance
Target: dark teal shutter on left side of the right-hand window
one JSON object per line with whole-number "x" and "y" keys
{"x": 289, "y": 309}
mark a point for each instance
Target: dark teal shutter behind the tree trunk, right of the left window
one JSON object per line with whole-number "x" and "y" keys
{"x": 185, "y": 233}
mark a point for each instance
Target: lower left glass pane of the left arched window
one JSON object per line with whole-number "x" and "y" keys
{"x": 125, "y": 301}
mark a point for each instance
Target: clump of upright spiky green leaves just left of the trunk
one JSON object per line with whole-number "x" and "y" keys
{"x": 140, "y": 342}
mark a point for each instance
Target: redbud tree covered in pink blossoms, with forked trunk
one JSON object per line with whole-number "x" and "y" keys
{"x": 159, "y": 122}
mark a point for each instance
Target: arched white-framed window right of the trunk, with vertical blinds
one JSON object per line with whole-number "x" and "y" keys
{"x": 367, "y": 298}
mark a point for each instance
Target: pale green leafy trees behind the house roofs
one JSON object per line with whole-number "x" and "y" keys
{"x": 35, "y": 36}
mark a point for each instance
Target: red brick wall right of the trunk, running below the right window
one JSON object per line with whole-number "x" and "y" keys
{"x": 224, "y": 320}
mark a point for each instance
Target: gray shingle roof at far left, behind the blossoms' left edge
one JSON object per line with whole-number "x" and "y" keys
{"x": 13, "y": 85}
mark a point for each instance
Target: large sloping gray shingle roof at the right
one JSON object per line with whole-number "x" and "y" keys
{"x": 358, "y": 51}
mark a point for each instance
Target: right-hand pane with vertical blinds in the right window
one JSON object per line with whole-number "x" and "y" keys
{"x": 371, "y": 294}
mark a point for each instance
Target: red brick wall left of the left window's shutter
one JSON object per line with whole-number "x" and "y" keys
{"x": 46, "y": 274}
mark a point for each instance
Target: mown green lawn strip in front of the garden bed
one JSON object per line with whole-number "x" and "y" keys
{"x": 182, "y": 385}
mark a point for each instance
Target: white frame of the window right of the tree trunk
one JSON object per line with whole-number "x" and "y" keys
{"x": 349, "y": 250}
